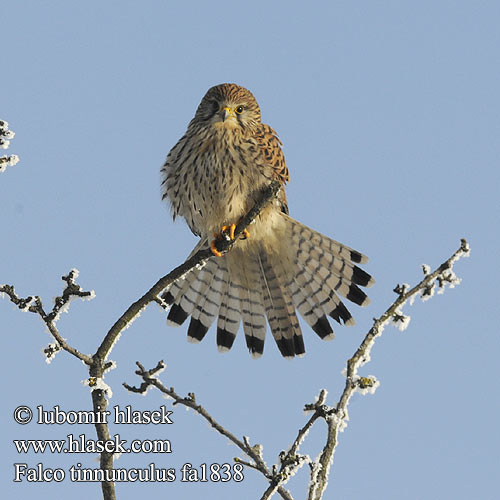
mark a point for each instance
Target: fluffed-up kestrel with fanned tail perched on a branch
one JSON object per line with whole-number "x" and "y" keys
{"x": 212, "y": 177}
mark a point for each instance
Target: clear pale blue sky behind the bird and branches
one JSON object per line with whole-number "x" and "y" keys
{"x": 389, "y": 116}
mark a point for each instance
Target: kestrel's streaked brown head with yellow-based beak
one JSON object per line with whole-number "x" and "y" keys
{"x": 228, "y": 106}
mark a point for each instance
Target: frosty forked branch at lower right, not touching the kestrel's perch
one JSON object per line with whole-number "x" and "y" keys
{"x": 335, "y": 417}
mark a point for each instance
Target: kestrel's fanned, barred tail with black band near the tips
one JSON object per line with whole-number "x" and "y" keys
{"x": 298, "y": 269}
